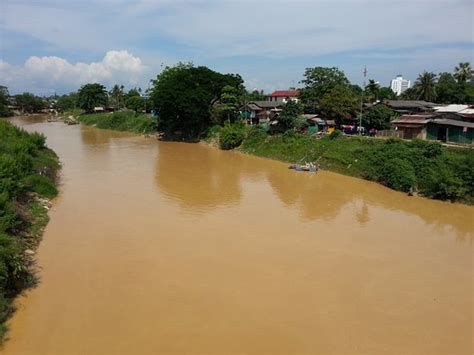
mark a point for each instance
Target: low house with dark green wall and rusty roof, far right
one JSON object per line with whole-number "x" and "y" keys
{"x": 446, "y": 127}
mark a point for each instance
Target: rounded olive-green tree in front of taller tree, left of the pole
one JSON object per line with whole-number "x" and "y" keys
{"x": 339, "y": 104}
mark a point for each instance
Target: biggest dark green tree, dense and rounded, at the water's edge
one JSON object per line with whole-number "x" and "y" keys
{"x": 183, "y": 96}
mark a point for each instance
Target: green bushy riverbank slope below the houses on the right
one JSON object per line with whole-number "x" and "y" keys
{"x": 418, "y": 166}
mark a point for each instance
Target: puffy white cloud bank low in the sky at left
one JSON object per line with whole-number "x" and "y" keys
{"x": 53, "y": 73}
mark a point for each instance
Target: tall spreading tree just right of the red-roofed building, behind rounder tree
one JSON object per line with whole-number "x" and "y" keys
{"x": 318, "y": 82}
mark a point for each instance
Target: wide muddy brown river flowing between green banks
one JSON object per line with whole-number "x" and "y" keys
{"x": 174, "y": 248}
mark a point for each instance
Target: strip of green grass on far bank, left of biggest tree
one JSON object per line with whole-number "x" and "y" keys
{"x": 121, "y": 121}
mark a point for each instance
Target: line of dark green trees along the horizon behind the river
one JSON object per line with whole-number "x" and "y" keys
{"x": 188, "y": 99}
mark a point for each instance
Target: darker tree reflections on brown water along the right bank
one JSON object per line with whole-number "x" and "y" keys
{"x": 202, "y": 179}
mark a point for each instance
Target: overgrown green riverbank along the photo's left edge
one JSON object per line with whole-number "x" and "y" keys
{"x": 28, "y": 171}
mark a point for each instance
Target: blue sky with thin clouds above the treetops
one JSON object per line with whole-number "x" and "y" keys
{"x": 55, "y": 46}
